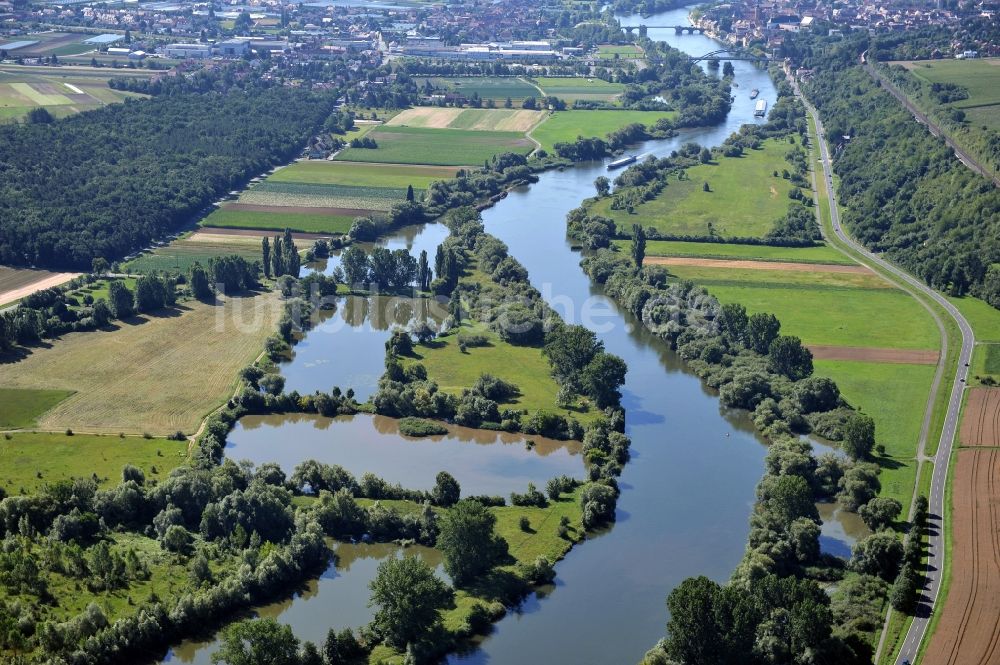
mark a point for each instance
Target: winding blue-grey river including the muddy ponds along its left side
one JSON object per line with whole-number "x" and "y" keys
{"x": 686, "y": 494}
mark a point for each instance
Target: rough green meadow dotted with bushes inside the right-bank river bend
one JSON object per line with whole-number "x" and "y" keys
{"x": 744, "y": 202}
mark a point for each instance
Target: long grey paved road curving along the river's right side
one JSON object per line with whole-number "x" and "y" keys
{"x": 936, "y": 550}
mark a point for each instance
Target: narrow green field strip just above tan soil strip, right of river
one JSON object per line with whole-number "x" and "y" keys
{"x": 713, "y": 250}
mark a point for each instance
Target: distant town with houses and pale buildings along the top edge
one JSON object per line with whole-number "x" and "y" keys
{"x": 134, "y": 34}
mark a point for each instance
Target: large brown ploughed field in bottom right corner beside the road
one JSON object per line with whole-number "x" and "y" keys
{"x": 969, "y": 630}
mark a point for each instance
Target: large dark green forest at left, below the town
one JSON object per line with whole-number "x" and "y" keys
{"x": 105, "y": 183}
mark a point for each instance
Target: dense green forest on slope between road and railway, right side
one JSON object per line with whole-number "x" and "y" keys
{"x": 902, "y": 189}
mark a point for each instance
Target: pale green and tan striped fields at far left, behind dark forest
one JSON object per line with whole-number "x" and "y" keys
{"x": 63, "y": 91}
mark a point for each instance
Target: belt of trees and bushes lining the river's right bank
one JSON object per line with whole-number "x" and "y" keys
{"x": 754, "y": 367}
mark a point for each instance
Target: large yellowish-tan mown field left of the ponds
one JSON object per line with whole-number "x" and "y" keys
{"x": 159, "y": 373}
